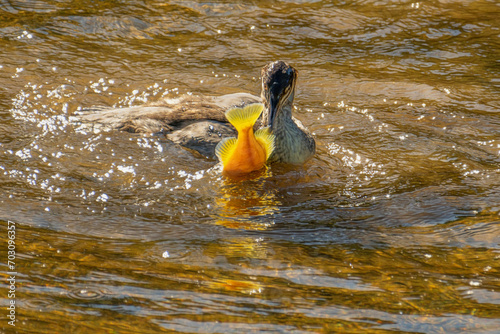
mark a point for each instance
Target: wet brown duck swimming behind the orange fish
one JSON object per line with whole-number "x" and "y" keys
{"x": 199, "y": 122}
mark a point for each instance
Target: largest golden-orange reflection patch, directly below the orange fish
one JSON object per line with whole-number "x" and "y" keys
{"x": 246, "y": 203}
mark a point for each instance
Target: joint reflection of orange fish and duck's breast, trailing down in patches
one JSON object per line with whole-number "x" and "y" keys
{"x": 249, "y": 202}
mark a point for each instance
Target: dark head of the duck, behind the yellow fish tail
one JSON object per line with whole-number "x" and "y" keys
{"x": 278, "y": 89}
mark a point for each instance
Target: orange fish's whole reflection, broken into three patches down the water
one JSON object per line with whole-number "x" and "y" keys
{"x": 244, "y": 202}
